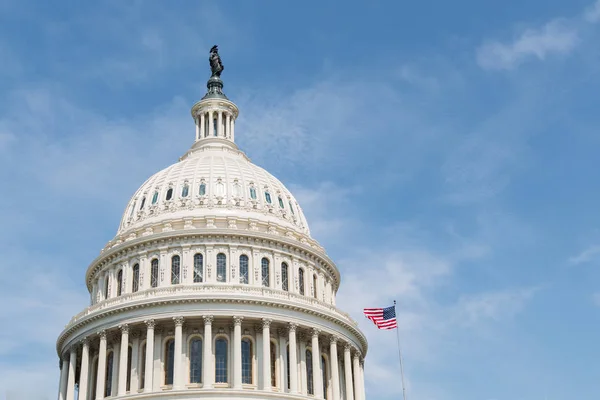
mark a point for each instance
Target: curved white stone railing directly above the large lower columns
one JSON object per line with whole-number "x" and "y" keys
{"x": 215, "y": 291}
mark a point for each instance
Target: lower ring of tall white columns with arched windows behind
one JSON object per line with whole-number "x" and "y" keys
{"x": 145, "y": 363}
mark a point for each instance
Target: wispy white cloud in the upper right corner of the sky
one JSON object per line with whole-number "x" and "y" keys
{"x": 556, "y": 37}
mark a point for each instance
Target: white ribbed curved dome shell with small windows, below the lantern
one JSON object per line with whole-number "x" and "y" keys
{"x": 217, "y": 181}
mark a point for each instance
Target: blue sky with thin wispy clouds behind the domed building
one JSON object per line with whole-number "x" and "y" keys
{"x": 445, "y": 154}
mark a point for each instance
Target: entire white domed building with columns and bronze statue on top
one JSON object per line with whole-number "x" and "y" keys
{"x": 212, "y": 288}
